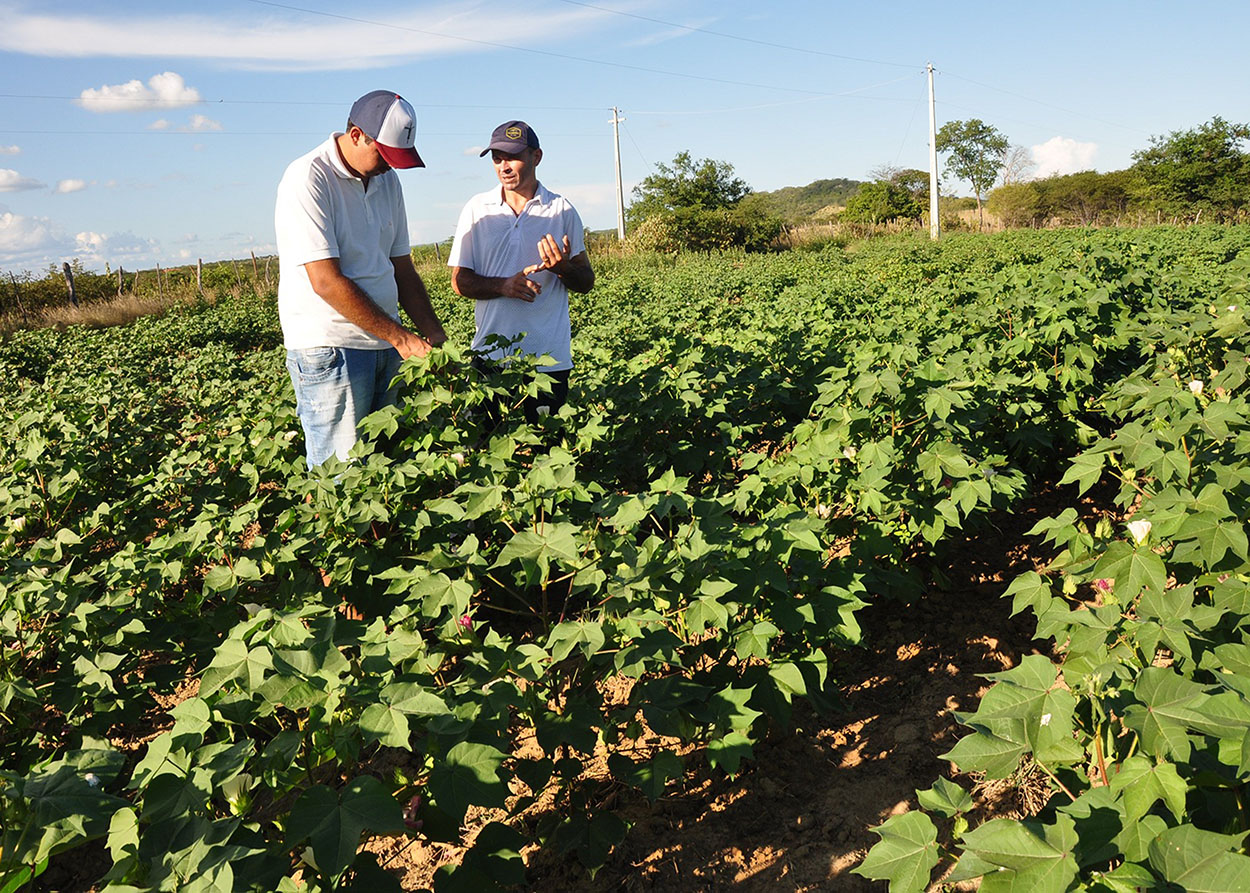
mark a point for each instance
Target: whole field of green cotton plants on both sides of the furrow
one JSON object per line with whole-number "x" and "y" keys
{"x": 757, "y": 448}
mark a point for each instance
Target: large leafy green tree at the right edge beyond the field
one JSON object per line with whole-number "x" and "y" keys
{"x": 1201, "y": 169}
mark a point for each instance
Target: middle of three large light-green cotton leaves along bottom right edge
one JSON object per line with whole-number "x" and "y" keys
{"x": 1041, "y": 856}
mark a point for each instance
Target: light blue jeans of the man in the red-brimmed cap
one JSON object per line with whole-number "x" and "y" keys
{"x": 336, "y": 388}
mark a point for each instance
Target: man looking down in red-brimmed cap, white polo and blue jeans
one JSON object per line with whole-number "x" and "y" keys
{"x": 346, "y": 270}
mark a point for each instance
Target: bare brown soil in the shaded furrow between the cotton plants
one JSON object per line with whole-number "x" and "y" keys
{"x": 799, "y": 816}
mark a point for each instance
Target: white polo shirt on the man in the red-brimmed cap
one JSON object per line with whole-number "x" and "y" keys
{"x": 326, "y": 212}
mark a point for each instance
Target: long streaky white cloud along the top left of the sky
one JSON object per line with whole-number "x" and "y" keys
{"x": 279, "y": 41}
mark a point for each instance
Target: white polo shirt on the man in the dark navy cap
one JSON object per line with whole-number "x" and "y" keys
{"x": 494, "y": 242}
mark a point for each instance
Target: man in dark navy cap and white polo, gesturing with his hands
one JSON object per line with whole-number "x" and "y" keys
{"x": 519, "y": 251}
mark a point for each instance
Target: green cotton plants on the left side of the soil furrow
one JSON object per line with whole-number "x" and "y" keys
{"x": 758, "y": 447}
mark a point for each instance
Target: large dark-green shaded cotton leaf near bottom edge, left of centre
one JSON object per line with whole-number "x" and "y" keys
{"x": 333, "y": 822}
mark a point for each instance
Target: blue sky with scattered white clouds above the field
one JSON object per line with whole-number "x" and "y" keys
{"x": 141, "y": 133}
